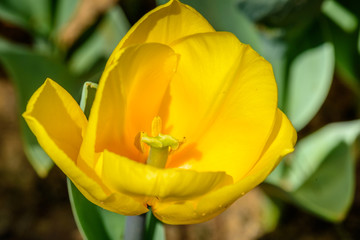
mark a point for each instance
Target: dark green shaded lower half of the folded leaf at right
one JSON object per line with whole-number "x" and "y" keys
{"x": 329, "y": 192}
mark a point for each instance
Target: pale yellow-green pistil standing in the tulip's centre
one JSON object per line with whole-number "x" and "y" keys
{"x": 160, "y": 144}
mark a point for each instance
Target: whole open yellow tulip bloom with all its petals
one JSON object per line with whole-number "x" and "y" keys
{"x": 185, "y": 120}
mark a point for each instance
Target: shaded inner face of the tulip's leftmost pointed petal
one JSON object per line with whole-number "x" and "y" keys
{"x": 61, "y": 117}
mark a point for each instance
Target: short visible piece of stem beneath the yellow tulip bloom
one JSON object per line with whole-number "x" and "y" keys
{"x": 135, "y": 227}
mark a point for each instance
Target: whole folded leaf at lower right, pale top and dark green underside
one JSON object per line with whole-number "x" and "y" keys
{"x": 319, "y": 175}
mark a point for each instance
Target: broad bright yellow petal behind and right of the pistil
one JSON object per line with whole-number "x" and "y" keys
{"x": 223, "y": 99}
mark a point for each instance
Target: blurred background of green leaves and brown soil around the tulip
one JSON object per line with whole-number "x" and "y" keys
{"x": 314, "y": 48}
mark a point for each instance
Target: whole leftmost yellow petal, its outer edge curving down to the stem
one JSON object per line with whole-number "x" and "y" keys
{"x": 57, "y": 121}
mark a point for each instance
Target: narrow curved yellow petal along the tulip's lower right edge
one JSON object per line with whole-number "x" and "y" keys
{"x": 282, "y": 139}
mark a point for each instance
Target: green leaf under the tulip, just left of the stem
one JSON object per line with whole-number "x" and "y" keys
{"x": 94, "y": 222}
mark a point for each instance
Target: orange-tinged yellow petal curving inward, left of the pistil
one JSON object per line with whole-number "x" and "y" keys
{"x": 128, "y": 98}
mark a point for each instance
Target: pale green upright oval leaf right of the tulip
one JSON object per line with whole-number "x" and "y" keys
{"x": 310, "y": 78}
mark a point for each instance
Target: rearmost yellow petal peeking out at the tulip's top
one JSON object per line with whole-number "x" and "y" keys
{"x": 165, "y": 24}
